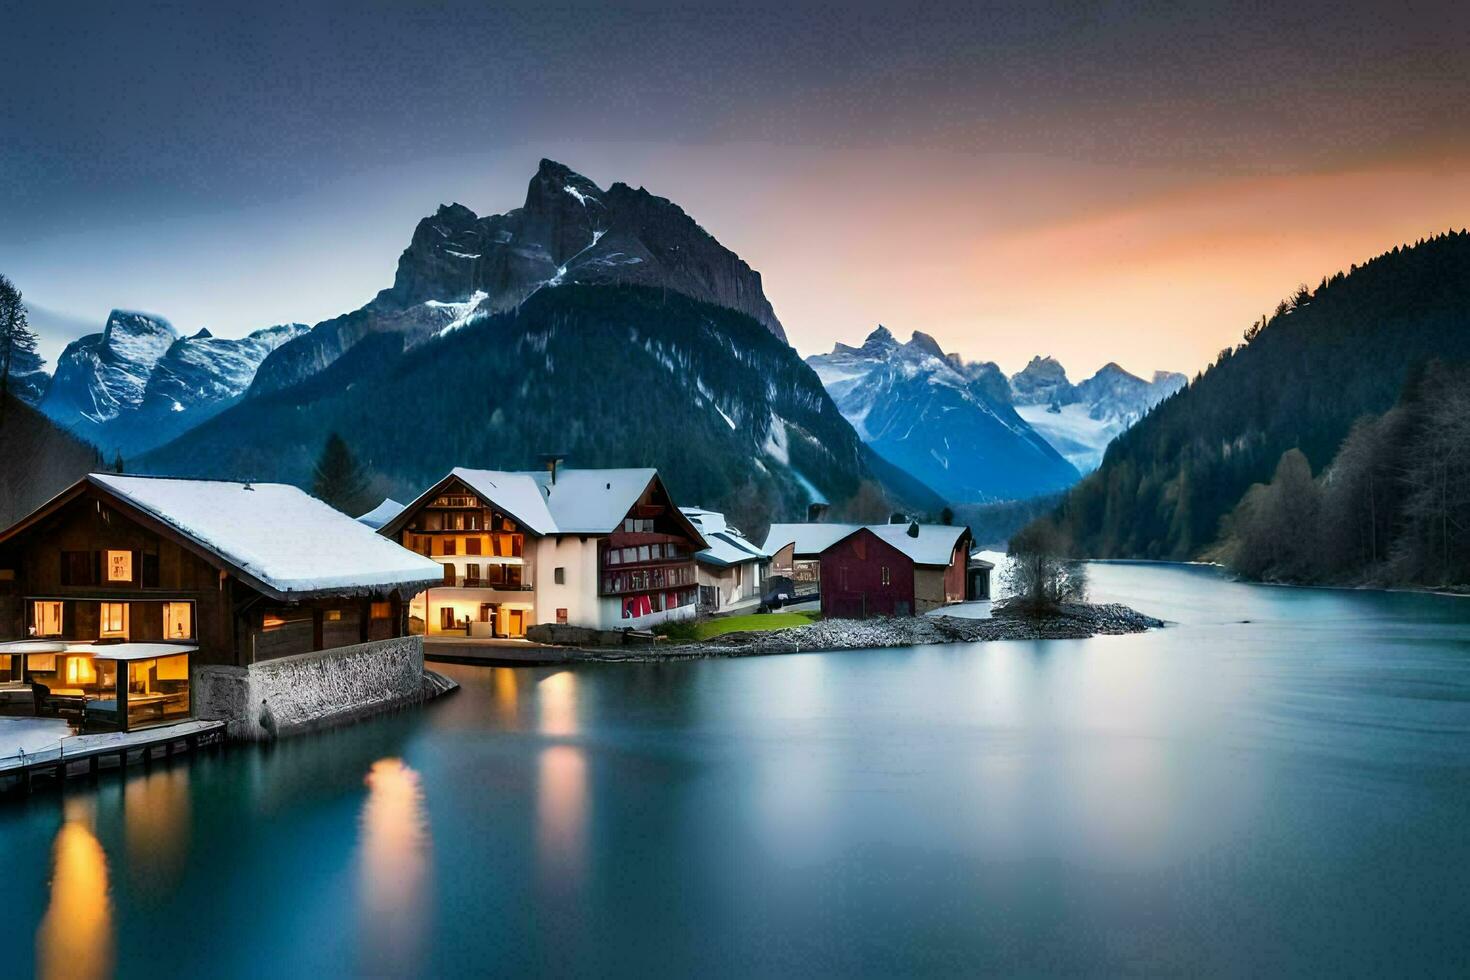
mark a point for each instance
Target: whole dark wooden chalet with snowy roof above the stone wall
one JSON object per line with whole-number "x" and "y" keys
{"x": 118, "y": 593}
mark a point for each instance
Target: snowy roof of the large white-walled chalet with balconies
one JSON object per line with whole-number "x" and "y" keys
{"x": 580, "y": 503}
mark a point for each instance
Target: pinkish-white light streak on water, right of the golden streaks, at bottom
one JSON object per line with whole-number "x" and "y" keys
{"x": 395, "y": 871}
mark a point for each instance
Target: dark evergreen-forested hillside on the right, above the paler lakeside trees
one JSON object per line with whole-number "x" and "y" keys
{"x": 1328, "y": 358}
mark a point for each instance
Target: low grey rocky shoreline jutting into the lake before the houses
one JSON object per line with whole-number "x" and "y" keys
{"x": 1071, "y": 622}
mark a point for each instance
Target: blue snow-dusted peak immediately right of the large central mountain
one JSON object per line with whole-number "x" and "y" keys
{"x": 940, "y": 419}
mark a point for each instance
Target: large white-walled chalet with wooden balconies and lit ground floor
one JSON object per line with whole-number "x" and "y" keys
{"x": 595, "y": 549}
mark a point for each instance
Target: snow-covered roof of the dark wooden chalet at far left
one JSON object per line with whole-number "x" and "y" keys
{"x": 287, "y": 541}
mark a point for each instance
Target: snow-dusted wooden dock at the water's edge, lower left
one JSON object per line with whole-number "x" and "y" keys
{"x": 87, "y": 754}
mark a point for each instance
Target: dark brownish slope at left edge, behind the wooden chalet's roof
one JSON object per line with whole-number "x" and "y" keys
{"x": 54, "y": 459}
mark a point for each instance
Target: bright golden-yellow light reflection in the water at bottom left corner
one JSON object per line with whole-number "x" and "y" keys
{"x": 76, "y": 940}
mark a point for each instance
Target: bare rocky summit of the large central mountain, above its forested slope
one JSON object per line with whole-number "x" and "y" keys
{"x": 461, "y": 268}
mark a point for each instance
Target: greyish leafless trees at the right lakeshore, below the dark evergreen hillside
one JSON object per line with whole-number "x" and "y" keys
{"x": 1393, "y": 508}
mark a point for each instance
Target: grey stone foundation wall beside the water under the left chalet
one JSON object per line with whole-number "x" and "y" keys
{"x": 283, "y": 697}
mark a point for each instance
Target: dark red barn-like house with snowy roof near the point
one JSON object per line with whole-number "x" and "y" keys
{"x": 894, "y": 571}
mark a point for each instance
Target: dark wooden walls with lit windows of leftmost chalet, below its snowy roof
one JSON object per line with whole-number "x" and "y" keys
{"x": 92, "y": 574}
